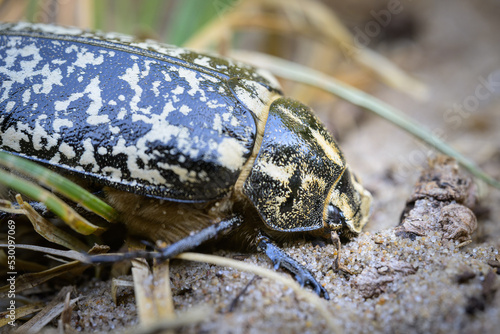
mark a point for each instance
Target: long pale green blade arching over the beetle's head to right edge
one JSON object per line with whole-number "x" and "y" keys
{"x": 293, "y": 71}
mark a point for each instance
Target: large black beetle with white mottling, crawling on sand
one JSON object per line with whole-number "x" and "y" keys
{"x": 187, "y": 146}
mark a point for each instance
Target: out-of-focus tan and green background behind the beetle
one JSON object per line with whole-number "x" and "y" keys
{"x": 436, "y": 61}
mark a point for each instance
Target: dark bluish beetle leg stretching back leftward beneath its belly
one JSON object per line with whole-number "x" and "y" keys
{"x": 192, "y": 241}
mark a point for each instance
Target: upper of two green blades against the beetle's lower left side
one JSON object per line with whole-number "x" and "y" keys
{"x": 59, "y": 184}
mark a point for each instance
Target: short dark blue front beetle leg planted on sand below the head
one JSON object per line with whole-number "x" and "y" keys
{"x": 282, "y": 259}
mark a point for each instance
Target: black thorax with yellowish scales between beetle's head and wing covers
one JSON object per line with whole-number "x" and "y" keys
{"x": 295, "y": 169}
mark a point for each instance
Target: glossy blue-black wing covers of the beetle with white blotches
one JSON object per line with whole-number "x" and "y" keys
{"x": 159, "y": 119}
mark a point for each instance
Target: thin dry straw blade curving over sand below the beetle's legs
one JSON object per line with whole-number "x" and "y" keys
{"x": 310, "y": 297}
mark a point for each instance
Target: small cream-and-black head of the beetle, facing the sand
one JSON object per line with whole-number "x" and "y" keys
{"x": 349, "y": 205}
